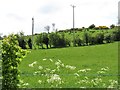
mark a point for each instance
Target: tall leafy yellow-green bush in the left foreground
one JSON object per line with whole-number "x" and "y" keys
{"x": 12, "y": 55}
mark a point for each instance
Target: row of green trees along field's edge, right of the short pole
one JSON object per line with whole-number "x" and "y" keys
{"x": 88, "y": 38}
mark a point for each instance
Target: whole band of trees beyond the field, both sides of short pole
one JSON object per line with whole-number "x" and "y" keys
{"x": 60, "y": 39}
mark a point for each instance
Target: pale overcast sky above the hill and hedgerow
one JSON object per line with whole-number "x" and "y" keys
{"x": 16, "y": 15}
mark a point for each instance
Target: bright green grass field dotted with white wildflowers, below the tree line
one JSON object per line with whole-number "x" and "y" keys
{"x": 78, "y": 67}
